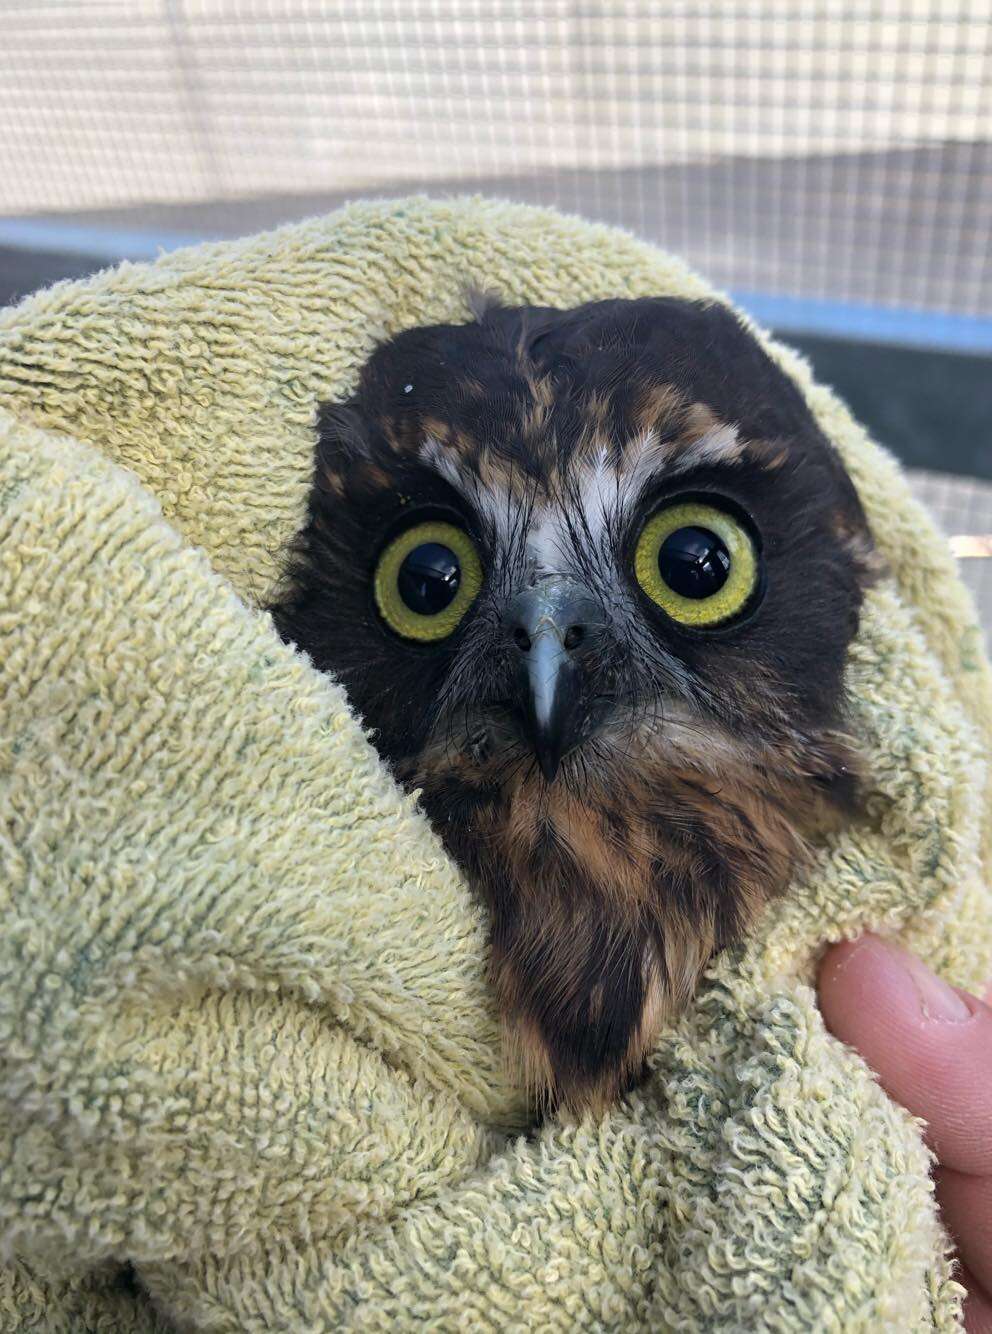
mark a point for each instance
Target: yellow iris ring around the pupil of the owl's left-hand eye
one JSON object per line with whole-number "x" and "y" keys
{"x": 390, "y": 573}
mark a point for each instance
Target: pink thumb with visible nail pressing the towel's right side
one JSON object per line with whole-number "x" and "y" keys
{"x": 930, "y": 1045}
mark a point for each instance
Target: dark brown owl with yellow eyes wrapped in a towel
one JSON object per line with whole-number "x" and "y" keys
{"x": 590, "y": 577}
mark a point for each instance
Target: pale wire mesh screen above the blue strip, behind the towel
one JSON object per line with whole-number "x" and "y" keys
{"x": 829, "y": 150}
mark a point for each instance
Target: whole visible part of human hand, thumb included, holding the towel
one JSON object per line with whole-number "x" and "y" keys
{"x": 931, "y": 1048}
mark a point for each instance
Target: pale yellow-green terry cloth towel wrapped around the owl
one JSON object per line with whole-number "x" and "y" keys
{"x": 251, "y": 1076}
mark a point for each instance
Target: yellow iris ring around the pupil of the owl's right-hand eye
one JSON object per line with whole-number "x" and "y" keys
{"x": 739, "y": 550}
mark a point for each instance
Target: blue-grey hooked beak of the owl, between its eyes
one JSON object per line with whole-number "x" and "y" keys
{"x": 549, "y": 622}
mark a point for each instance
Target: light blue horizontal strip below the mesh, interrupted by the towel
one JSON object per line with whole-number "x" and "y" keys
{"x": 786, "y": 314}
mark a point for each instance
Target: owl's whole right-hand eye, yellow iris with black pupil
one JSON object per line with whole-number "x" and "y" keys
{"x": 698, "y": 564}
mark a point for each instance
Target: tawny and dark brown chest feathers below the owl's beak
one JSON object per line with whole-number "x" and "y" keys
{"x": 610, "y": 894}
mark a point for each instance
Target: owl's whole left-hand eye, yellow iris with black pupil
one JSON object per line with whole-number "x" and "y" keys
{"x": 426, "y": 581}
